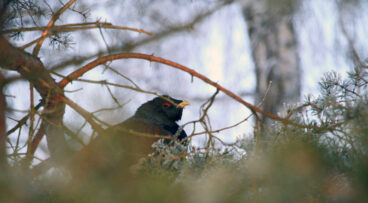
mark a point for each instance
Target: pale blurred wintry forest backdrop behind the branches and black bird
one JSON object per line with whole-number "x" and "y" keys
{"x": 242, "y": 45}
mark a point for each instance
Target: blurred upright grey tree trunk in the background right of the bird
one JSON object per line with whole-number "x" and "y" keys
{"x": 274, "y": 52}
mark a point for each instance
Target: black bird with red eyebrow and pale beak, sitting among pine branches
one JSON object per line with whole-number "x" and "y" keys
{"x": 123, "y": 144}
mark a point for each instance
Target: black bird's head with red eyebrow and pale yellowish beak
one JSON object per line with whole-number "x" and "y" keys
{"x": 162, "y": 109}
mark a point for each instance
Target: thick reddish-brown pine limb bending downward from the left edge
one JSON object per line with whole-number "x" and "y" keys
{"x": 32, "y": 69}
